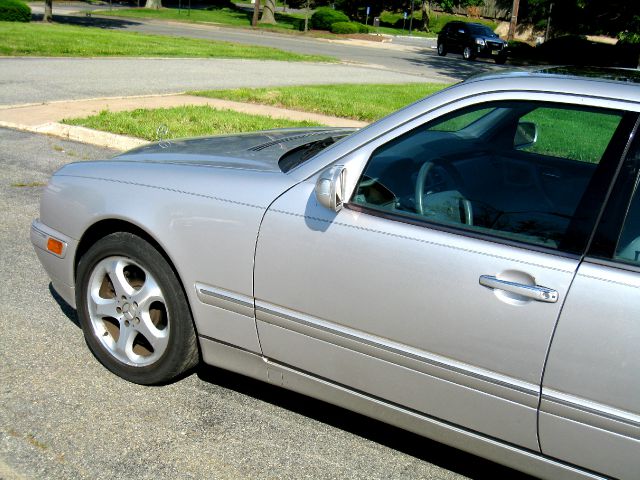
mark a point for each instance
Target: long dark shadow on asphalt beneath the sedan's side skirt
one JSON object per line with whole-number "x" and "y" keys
{"x": 373, "y": 430}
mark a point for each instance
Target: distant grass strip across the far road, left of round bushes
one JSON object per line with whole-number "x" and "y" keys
{"x": 225, "y": 16}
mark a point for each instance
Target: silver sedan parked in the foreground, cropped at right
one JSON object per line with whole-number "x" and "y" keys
{"x": 467, "y": 268}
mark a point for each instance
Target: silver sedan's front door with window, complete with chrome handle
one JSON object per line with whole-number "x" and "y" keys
{"x": 439, "y": 284}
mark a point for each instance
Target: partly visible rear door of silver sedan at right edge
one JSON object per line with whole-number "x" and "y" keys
{"x": 590, "y": 408}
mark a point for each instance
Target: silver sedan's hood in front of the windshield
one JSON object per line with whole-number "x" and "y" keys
{"x": 250, "y": 151}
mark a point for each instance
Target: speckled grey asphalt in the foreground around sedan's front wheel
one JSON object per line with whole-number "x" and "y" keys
{"x": 63, "y": 416}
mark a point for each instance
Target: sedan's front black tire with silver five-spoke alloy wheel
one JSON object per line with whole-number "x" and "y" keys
{"x": 150, "y": 342}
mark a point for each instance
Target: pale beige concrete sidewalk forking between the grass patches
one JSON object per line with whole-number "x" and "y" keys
{"x": 45, "y": 118}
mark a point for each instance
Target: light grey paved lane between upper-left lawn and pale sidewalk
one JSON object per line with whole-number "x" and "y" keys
{"x": 33, "y": 80}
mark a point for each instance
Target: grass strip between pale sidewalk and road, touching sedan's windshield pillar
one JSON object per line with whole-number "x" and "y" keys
{"x": 359, "y": 102}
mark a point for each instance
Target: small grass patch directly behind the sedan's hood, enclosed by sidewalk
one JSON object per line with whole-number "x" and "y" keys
{"x": 187, "y": 121}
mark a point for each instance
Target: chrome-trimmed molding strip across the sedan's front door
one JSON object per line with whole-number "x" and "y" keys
{"x": 403, "y": 355}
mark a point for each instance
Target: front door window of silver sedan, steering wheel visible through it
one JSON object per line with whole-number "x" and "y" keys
{"x": 505, "y": 169}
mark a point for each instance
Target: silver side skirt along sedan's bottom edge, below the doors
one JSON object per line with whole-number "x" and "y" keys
{"x": 252, "y": 365}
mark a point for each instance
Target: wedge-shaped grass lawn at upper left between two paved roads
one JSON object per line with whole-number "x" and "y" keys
{"x": 70, "y": 41}
